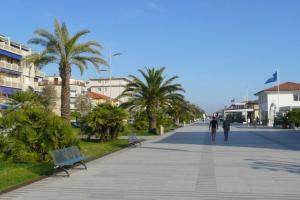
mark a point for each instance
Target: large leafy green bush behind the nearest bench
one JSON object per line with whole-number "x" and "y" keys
{"x": 33, "y": 133}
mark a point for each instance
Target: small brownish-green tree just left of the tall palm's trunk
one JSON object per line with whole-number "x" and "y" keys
{"x": 48, "y": 97}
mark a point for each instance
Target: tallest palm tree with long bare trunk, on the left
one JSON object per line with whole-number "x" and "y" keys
{"x": 65, "y": 50}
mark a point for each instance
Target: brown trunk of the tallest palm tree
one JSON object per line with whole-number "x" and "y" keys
{"x": 65, "y": 74}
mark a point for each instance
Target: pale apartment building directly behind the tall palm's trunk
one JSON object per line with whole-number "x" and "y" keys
{"x": 77, "y": 88}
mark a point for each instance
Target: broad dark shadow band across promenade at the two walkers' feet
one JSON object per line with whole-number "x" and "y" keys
{"x": 258, "y": 139}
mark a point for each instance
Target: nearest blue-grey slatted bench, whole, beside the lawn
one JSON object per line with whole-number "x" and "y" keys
{"x": 67, "y": 157}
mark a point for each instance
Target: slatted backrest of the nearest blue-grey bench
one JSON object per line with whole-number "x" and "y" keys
{"x": 65, "y": 154}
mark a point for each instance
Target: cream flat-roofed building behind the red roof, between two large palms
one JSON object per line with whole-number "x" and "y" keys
{"x": 111, "y": 88}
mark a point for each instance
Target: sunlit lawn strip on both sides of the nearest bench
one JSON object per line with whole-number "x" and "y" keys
{"x": 14, "y": 174}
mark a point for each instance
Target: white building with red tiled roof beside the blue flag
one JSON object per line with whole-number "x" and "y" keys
{"x": 272, "y": 103}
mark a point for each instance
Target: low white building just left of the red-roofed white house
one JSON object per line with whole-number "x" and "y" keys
{"x": 241, "y": 112}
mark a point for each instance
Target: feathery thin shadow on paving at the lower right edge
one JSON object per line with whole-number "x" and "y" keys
{"x": 275, "y": 165}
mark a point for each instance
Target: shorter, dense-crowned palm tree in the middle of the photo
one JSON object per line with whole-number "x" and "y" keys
{"x": 152, "y": 93}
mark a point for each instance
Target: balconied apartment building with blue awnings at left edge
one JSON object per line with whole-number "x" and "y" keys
{"x": 16, "y": 74}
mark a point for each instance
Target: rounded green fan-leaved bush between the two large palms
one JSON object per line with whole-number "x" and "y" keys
{"x": 106, "y": 121}
